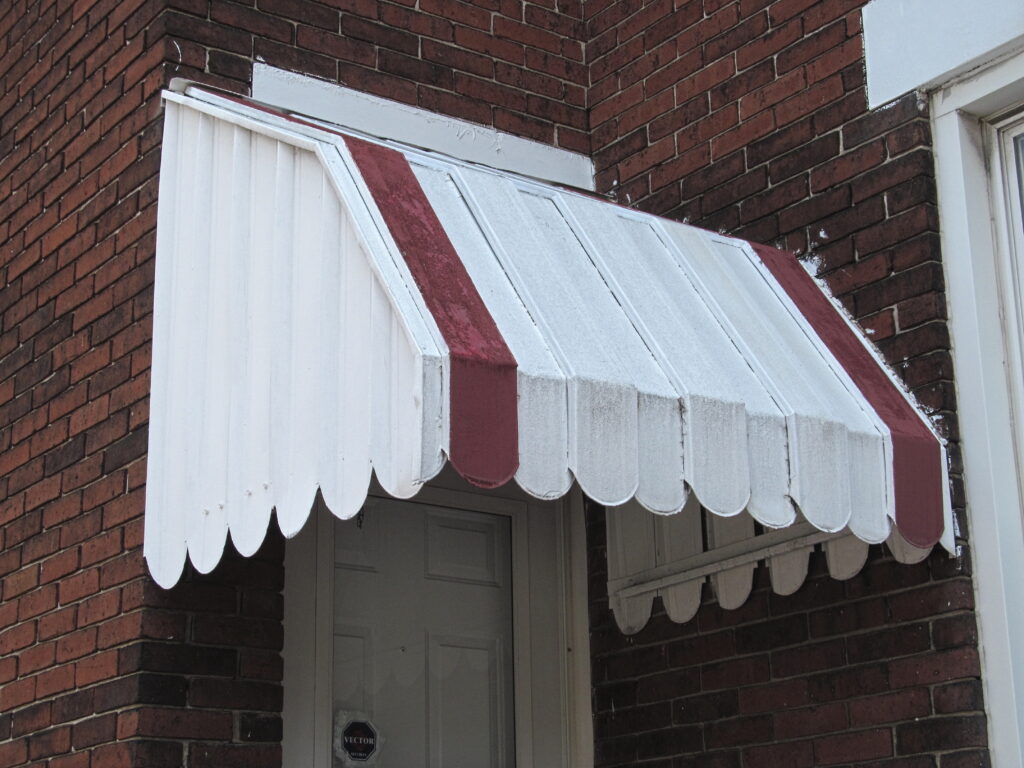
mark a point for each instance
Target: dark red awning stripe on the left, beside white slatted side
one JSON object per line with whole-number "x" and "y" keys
{"x": 485, "y": 431}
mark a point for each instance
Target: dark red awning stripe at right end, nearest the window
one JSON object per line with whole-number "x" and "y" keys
{"x": 917, "y": 452}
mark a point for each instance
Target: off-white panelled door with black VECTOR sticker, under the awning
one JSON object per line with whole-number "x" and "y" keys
{"x": 423, "y": 637}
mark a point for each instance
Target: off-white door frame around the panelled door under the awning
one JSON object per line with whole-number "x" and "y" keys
{"x": 540, "y": 529}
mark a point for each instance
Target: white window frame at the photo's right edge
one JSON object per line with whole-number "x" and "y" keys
{"x": 974, "y": 262}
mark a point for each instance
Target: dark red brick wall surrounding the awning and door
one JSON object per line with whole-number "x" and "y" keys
{"x": 745, "y": 116}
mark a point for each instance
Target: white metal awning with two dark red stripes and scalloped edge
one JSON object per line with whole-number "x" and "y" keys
{"x": 330, "y": 308}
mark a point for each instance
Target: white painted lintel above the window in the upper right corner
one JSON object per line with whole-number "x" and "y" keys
{"x": 912, "y": 45}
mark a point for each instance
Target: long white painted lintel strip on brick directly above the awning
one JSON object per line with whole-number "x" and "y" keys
{"x": 417, "y": 127}
